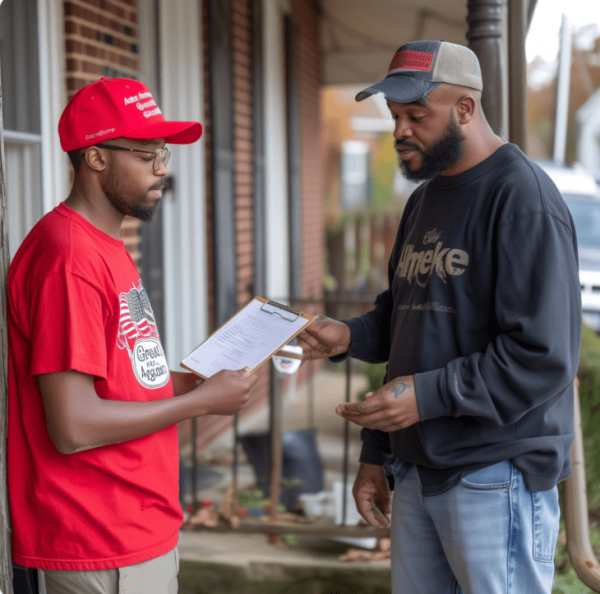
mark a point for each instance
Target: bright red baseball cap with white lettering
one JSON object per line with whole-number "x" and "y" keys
{"x": 118, "y": 108}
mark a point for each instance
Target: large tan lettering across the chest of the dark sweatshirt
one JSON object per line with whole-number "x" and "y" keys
{"x": 420, "y": 266}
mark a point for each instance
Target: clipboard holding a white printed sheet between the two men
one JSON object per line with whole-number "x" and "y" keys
{"x": 248, "y": 339}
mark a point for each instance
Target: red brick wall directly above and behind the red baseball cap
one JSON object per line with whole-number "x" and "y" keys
{"x": 101, "y": 39}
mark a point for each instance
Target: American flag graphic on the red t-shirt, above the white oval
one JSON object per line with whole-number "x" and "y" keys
{"x": 136, "y": 318}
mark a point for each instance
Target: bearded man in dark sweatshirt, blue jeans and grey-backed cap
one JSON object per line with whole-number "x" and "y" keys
{"x": 480, "y": 327}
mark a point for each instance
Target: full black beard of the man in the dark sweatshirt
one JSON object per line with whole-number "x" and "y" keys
{"x": 437, "y": 158}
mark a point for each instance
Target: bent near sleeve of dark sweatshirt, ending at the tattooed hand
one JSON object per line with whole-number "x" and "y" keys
{"x": 534, "y": 355}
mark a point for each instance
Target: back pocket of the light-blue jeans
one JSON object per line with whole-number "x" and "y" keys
{"x": 546, "y": 516}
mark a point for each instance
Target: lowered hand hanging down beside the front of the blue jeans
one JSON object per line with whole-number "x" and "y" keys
{"x": 372, "y": 495}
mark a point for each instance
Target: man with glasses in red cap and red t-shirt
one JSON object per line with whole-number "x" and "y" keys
{"x": 92, "y": 434}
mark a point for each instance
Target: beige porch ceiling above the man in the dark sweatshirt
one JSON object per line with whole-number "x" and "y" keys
{"x": 359, "y": 37}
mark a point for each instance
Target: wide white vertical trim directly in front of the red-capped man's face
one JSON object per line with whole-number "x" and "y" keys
{"x": 184, "y": 209}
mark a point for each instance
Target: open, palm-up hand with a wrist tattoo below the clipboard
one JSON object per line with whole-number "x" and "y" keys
{"x": 390, "y": 408}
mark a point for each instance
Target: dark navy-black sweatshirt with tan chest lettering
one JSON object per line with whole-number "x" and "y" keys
{"x": 484, "y": 308}
